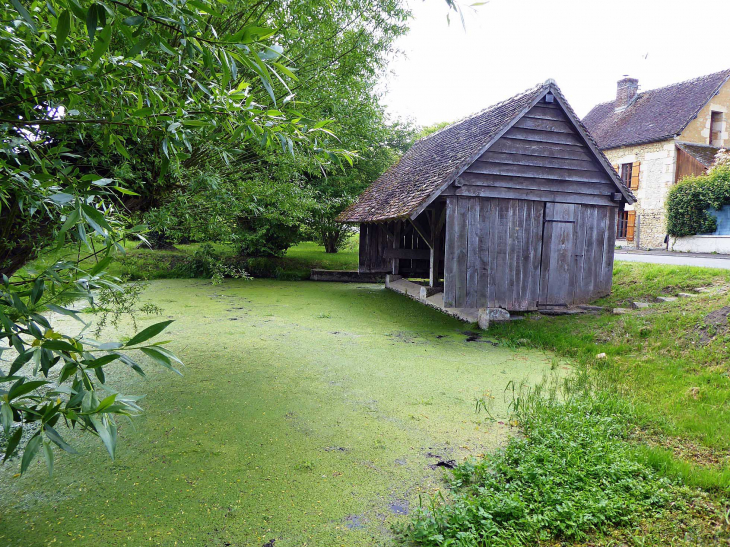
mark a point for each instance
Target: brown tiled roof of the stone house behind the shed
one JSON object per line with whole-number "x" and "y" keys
{"x": 654, "y": 115}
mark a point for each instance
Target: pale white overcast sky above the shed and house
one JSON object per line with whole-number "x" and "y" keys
{"x": 446, "y": 72}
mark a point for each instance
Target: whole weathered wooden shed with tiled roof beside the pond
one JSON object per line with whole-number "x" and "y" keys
{"x": 514, "y": 207}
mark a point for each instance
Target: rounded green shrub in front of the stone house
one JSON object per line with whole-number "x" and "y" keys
{"x": 689, "y": 202}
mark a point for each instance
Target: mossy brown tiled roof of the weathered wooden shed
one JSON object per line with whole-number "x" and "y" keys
{"x": 433, "y": 162}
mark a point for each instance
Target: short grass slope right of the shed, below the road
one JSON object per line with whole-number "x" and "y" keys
{"x": 672, "y": 360}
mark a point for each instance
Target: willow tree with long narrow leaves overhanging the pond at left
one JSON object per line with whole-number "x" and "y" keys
{"x": 82, "y": 83}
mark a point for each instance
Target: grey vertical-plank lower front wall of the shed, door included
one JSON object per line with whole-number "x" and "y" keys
{"x": 522, "y": 254}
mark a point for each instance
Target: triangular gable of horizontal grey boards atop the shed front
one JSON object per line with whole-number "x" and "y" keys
{"x": 541, "y": 157}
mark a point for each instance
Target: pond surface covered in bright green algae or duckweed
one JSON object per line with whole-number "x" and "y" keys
{"x": 308, "y": 414}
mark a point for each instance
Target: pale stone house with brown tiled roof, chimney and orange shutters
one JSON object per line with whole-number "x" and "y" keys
{"x": 654, "y": 139}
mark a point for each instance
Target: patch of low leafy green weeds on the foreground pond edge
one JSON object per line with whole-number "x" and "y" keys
{"x": 570, "y": 474}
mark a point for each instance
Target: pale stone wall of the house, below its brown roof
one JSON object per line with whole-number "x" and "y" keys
{"x": 656, "y": 177}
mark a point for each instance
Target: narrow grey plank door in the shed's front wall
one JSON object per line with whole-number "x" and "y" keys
{"x": 558, "y": 262}
